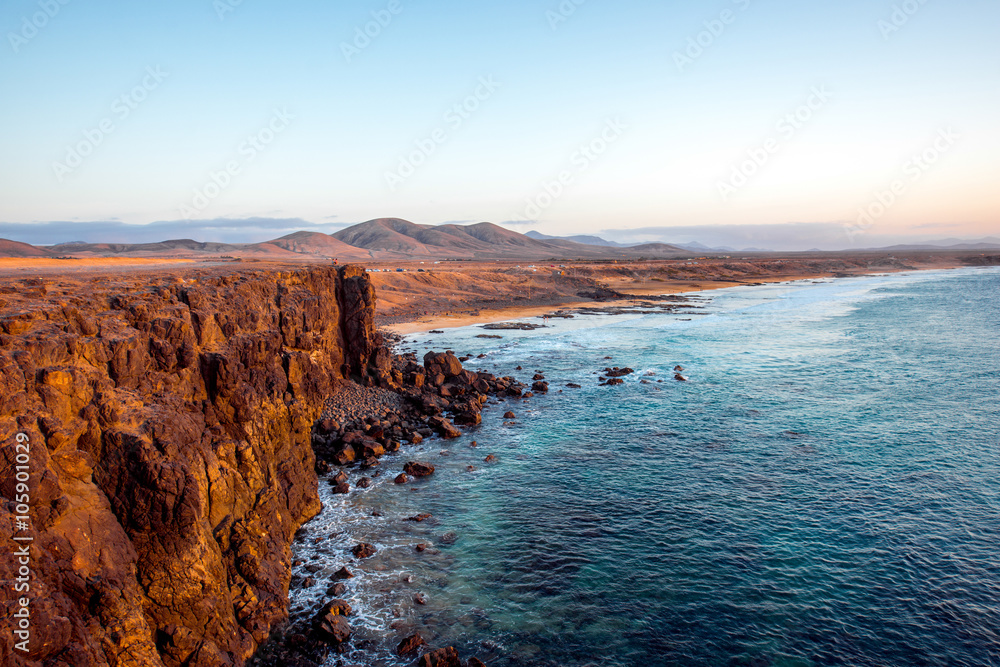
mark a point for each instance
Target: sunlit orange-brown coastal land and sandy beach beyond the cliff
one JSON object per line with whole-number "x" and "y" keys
{"x": 414, "y": 301}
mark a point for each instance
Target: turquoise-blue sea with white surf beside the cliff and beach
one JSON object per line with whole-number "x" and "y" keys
{"x": 825, "y": 490}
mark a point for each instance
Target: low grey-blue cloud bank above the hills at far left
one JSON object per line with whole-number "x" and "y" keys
{"x": 224, "y": 230}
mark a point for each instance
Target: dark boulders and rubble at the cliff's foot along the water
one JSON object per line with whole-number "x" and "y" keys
{"x": 359, "y": 426}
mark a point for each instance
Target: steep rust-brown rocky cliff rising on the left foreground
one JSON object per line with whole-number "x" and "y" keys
{"x": 168, "y": 420}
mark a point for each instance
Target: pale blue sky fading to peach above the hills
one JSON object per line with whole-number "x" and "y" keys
{"x": 863, "y": 121}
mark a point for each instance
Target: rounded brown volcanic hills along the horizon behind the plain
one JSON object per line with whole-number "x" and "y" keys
{"x": 381, "y": 239}
